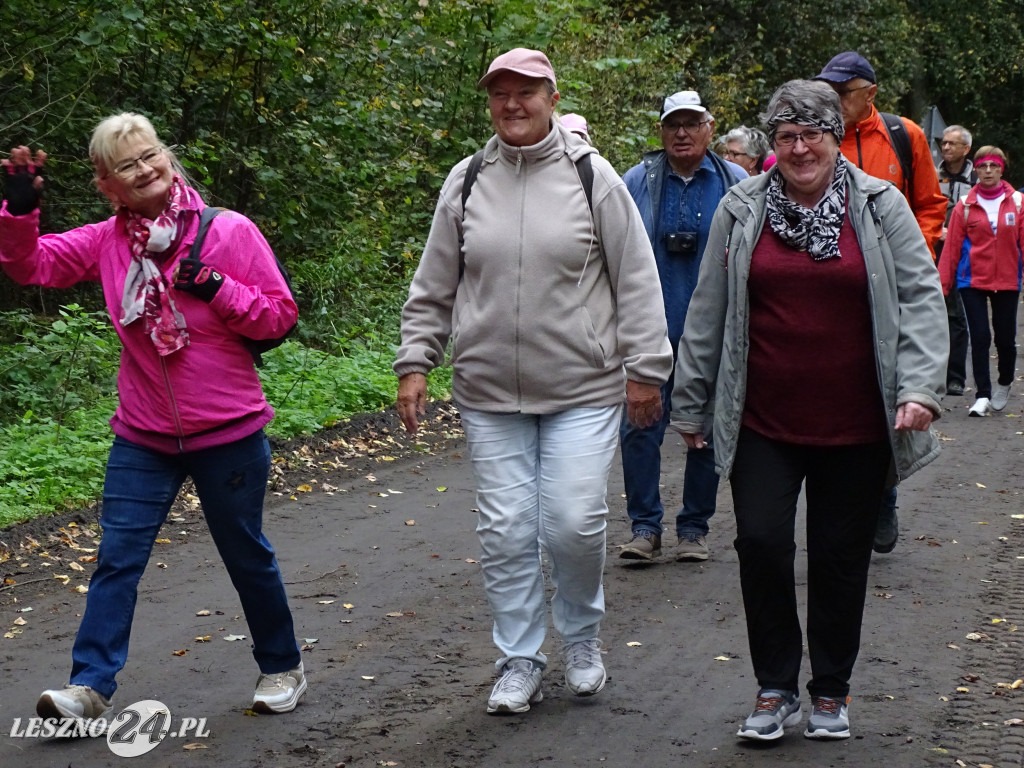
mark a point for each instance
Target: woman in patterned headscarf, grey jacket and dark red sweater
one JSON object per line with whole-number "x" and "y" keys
{"x": 817, "y": 340}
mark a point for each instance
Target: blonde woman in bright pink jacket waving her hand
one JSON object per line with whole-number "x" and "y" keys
{"x": 190, "y": 400}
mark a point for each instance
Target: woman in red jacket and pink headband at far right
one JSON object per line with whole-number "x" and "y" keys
{"x": 987, "y": 242}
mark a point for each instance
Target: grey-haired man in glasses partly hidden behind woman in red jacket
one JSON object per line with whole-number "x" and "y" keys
{"x": 957, "y": 177}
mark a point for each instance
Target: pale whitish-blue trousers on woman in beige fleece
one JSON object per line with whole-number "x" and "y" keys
{"x": 542, "y": 482}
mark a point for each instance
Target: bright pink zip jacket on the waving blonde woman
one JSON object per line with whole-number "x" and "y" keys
{"x": 206, "y": 395}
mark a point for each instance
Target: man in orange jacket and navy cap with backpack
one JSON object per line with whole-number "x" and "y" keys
{"x": 894, "y": 149}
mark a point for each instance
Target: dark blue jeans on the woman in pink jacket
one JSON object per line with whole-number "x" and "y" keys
{"x": 139, "y": 491}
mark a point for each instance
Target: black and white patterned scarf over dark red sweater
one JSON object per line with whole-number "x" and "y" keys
{"x": 813, "y": 230}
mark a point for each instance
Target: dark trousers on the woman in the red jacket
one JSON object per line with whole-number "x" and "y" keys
{"x": 1004, "y": 305}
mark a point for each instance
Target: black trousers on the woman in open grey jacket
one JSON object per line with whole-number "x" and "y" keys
{"x": 844, "y": 490}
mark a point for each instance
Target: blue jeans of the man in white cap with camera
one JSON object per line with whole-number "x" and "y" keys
{"x": 643, "y": 473}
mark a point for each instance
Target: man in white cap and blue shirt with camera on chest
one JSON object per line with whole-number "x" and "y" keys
{"x": 677, "y": 190}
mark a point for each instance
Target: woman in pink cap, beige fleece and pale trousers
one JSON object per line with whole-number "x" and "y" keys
{"x": 548, "y": 300}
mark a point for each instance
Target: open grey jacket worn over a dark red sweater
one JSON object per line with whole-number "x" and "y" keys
{"x": 908, "y": 315}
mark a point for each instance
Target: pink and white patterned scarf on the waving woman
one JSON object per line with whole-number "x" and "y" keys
{"x": 147, "y": 293}
